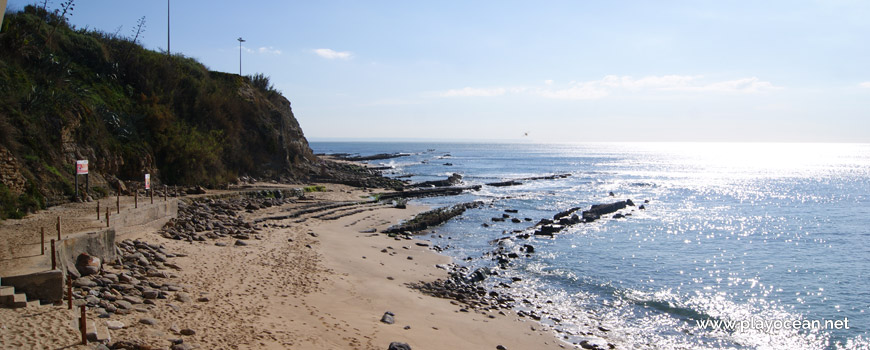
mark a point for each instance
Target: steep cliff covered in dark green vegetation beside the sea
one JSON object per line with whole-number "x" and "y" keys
{"x": 69, "y": 94}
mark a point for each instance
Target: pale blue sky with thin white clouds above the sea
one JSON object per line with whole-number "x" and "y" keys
{"x": 542, "y": 71}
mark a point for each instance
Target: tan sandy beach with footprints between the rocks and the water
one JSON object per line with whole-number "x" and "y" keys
{"x": 306, "y": 283}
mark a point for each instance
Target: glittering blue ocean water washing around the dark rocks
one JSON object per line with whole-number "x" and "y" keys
{"x": 740, "y": 245}
